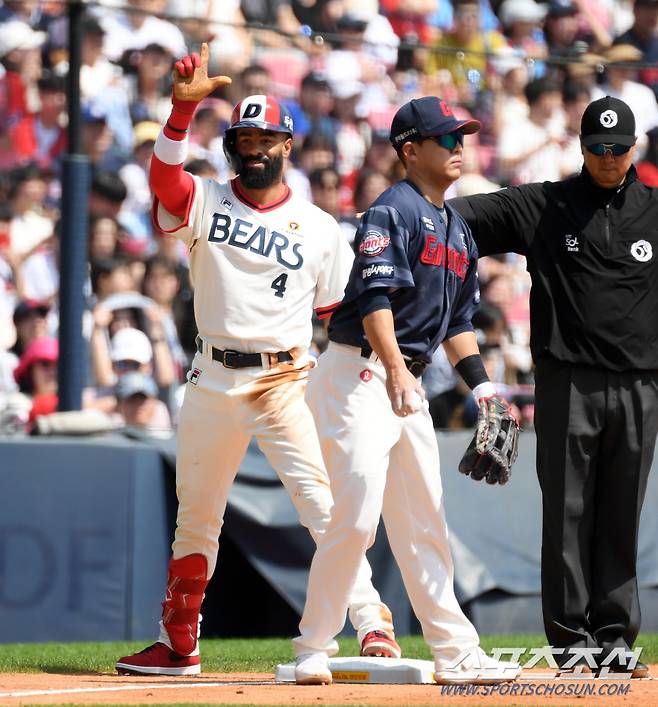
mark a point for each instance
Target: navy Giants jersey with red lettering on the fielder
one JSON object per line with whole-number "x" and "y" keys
{"x": 431, "y": 272}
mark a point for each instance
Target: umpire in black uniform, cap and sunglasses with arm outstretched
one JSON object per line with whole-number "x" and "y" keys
{"x": 591, "y": 243}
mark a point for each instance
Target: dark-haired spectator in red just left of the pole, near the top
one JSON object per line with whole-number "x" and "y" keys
{"x": 41, "y": 137}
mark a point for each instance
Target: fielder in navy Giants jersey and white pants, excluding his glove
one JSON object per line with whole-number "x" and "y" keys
{"x": 412, "y": 287}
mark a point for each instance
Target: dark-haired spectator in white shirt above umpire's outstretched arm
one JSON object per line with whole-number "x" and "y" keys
{"x": 529, "y": 150}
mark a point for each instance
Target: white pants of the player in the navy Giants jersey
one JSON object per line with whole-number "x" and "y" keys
{"x": 378, "y": 463}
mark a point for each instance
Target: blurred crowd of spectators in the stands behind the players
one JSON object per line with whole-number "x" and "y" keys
{"x": 526, "y": 69}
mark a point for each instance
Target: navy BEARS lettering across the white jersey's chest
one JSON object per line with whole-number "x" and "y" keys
{"x": 244, "y": 234}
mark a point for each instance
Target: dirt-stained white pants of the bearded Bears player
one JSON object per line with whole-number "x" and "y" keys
{"x": 220, "y": 414}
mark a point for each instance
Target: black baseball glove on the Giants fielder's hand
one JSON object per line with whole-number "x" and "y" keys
{"x": 494, "y": 446}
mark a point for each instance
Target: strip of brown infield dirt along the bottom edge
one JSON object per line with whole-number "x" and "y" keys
{"x": 260, "y": 689}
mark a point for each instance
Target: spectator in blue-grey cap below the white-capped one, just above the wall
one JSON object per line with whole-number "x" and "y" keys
{"x": 138, "y": 405}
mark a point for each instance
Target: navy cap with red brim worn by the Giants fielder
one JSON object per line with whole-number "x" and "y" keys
{"x": 427, "y": 117}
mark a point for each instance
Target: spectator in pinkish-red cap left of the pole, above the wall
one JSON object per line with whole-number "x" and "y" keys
{"x": 36, "y": 375}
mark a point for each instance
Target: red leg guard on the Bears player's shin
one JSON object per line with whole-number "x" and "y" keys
{"x": 186, "y": 584}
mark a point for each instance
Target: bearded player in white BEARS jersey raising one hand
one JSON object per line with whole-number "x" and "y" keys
{"x": 261, "y": 260}
